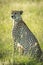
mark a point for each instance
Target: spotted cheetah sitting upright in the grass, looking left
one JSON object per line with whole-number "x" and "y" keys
{"x": 22, "y": 34}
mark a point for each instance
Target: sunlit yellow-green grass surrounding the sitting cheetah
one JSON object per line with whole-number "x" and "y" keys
{"x": 33, "y": 17}
